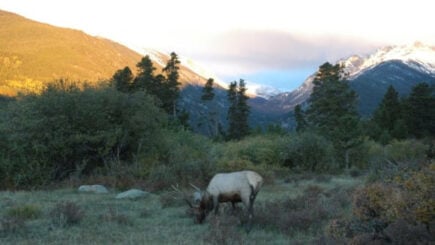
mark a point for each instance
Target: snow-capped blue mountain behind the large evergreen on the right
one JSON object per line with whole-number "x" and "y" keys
{"x": 400, "y": 66}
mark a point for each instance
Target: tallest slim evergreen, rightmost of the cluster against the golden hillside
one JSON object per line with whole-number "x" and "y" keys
{"x": 172, "y": 90}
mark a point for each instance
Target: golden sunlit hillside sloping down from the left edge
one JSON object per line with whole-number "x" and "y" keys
{"x": 34, "y": 53}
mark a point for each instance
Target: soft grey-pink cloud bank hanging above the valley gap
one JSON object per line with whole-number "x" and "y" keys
{"x": 249, "y": 51}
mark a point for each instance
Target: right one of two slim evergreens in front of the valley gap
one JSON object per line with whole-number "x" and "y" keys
{"x": 238, "y": 111}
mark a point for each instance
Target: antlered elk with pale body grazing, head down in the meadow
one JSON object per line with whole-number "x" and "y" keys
{"x": 234, "y": 187}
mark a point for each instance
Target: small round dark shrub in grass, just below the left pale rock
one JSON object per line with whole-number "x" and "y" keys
{"x": 66, "y": 213}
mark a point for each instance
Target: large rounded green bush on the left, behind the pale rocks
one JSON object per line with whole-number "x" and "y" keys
{"x": 66, "y": 128}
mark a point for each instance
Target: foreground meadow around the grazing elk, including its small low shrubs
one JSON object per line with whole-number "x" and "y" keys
{"x": 65, "y": 216}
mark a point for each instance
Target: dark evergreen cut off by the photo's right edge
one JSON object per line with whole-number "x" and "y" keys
{"x": 420, "y": 111}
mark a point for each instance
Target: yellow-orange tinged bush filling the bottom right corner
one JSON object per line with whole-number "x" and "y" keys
{"x": 399, "y": 208}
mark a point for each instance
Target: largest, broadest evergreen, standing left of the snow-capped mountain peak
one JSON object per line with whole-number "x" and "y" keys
{"x": 332, "y": 110}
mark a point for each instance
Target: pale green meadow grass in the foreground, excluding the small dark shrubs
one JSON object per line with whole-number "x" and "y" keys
{"x": 106, "y": 220}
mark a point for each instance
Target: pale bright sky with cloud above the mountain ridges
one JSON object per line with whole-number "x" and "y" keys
{"x": 274, "y": 43}
